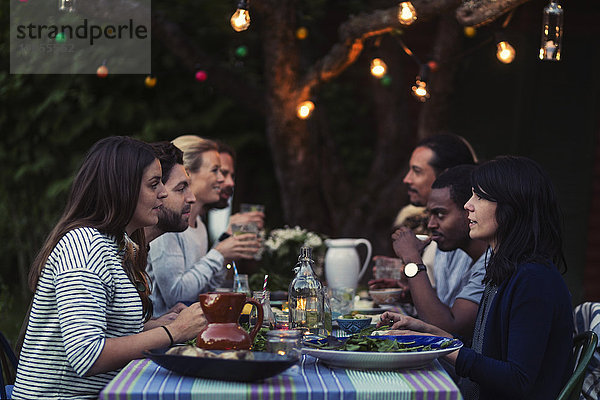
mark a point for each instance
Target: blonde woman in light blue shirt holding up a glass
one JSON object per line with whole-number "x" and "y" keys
{"x": 180, "y": 264}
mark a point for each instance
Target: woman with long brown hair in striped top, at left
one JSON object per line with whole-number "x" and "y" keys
{"x": 91, "y": 292}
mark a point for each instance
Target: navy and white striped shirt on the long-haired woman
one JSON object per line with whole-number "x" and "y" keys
{"x": 82, "y": 298}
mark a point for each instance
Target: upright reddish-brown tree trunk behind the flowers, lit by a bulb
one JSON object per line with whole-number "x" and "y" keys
{"x": 294, "y": 148}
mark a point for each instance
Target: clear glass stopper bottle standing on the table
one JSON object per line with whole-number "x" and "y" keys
{"x": 305, "y": 296}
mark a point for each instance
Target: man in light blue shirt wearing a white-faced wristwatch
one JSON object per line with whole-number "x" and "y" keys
{"x": 459, "y": 262}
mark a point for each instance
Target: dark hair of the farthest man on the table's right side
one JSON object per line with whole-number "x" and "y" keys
{"x": 449, "y": 150}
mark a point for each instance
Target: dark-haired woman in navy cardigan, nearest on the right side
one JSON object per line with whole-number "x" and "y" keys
{"x": 522, "y": 343}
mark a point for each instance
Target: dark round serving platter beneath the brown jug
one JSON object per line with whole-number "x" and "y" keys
{"x": 264, "y": 365}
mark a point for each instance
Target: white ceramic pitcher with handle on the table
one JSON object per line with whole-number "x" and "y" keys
{"x": 342, "y": 264}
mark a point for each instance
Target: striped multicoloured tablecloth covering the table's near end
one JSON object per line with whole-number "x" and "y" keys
{"x": 308, "y": 379}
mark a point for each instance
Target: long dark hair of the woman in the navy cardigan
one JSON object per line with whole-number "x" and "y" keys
{"x": 528, "y": 216}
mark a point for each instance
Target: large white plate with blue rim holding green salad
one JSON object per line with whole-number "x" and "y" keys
{"x": 386, "y": 361}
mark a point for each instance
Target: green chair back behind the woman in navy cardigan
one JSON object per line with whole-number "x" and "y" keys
{"x": 584, "y": 346}
